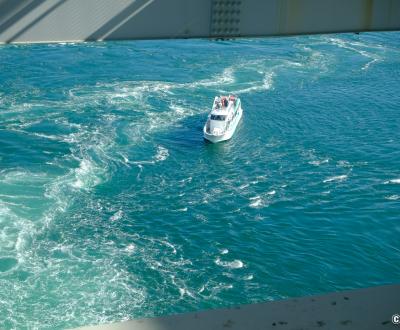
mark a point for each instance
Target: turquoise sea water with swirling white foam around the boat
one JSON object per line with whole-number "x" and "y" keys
{"x": 113, "y": 207}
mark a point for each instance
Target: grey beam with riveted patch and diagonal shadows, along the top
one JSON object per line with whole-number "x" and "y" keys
{"x": 77, "y": 20}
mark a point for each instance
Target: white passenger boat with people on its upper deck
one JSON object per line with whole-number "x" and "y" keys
{"x": 223, "y": 118}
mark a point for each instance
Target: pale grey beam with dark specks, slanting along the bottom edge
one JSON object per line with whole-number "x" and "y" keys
{"x": 362, "y": 309}
